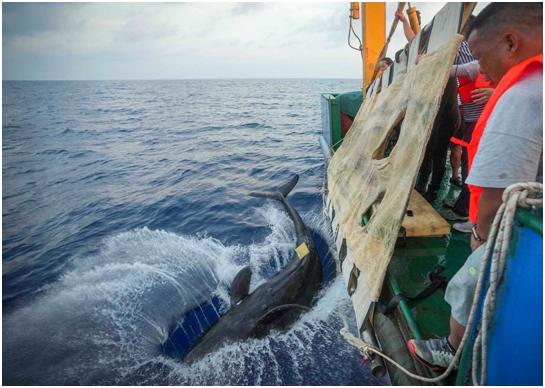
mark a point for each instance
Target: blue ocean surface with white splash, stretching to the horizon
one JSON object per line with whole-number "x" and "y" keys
{"x": 126, "y": 217}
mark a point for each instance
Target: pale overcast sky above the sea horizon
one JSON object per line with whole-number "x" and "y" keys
{"x": 182, "y": 40}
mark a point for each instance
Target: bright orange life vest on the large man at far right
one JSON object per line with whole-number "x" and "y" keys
{"x": 508, "y": 80}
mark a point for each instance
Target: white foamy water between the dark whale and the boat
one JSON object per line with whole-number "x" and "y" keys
{"x": 268, "y": 360}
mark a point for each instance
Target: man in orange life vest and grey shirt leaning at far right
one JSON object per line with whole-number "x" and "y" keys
{"x": 507, "y": 40}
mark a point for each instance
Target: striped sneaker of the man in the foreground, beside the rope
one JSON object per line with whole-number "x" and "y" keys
{"x": 435, "y": 353}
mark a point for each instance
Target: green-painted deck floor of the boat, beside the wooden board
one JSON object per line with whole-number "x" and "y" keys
{"x": 412, "y": 262}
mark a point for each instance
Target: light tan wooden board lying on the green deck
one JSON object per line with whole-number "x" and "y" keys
{"x": 425, "y": 220}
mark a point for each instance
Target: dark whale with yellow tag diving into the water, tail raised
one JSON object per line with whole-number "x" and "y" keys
{"x": 278, "y": 302}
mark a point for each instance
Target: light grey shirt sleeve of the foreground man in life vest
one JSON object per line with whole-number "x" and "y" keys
{"x": 511, "y": 148}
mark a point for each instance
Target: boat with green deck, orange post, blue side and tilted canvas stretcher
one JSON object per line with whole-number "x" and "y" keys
{"x": 395, "y": 251}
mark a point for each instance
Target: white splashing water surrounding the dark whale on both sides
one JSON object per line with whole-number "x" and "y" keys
{"x": 105, "y": 320}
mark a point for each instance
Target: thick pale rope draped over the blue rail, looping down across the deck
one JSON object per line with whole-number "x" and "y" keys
{"x": 517, "y": 194}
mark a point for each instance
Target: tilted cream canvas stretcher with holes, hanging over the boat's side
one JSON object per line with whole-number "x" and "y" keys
{"x": 368, "y": 192}
